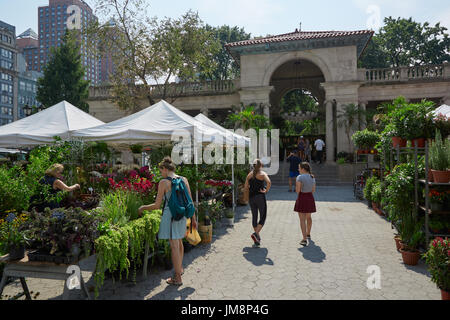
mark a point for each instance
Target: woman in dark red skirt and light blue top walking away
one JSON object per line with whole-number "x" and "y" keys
{"x": 305, "y": 186}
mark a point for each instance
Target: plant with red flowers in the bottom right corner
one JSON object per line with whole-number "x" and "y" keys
{"x": 438, "y": 260}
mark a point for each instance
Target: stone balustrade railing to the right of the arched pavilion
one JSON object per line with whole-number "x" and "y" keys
{"x": 425, "y": 72}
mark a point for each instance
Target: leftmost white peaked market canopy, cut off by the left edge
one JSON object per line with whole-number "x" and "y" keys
{"x": 40, "y": 128}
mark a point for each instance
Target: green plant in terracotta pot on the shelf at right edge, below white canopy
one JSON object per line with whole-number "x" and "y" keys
{"x": 440, "y": 159}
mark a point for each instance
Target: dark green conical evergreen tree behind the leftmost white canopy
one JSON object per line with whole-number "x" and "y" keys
{"x": 64, "y": 76}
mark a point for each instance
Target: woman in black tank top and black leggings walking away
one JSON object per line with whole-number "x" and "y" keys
{"x": 258, "y": 184}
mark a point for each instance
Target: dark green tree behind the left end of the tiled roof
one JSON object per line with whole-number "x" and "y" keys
{"x": 226, "y": 67}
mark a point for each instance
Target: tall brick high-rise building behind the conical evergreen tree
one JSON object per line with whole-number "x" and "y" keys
{"x": 54, "y": 19}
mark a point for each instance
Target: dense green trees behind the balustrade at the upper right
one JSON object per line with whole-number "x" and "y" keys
{"x": 404, "y": 42}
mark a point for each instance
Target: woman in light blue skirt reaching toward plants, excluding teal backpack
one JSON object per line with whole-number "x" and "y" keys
{"x": 173, "y": 230}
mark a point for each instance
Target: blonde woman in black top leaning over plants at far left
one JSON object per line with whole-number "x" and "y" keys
{"x": 53, "y": 178}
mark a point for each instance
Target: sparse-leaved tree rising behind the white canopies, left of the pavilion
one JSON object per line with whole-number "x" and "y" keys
{"x": 147, "y": 51}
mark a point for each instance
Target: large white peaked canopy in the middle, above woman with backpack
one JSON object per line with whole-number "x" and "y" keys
{"x": 156, "y": 123}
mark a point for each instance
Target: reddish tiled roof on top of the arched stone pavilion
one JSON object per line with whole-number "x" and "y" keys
{"x": 299, "y": 35}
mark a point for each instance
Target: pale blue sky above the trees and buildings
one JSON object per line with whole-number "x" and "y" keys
{"x": 262, "y": 17}
